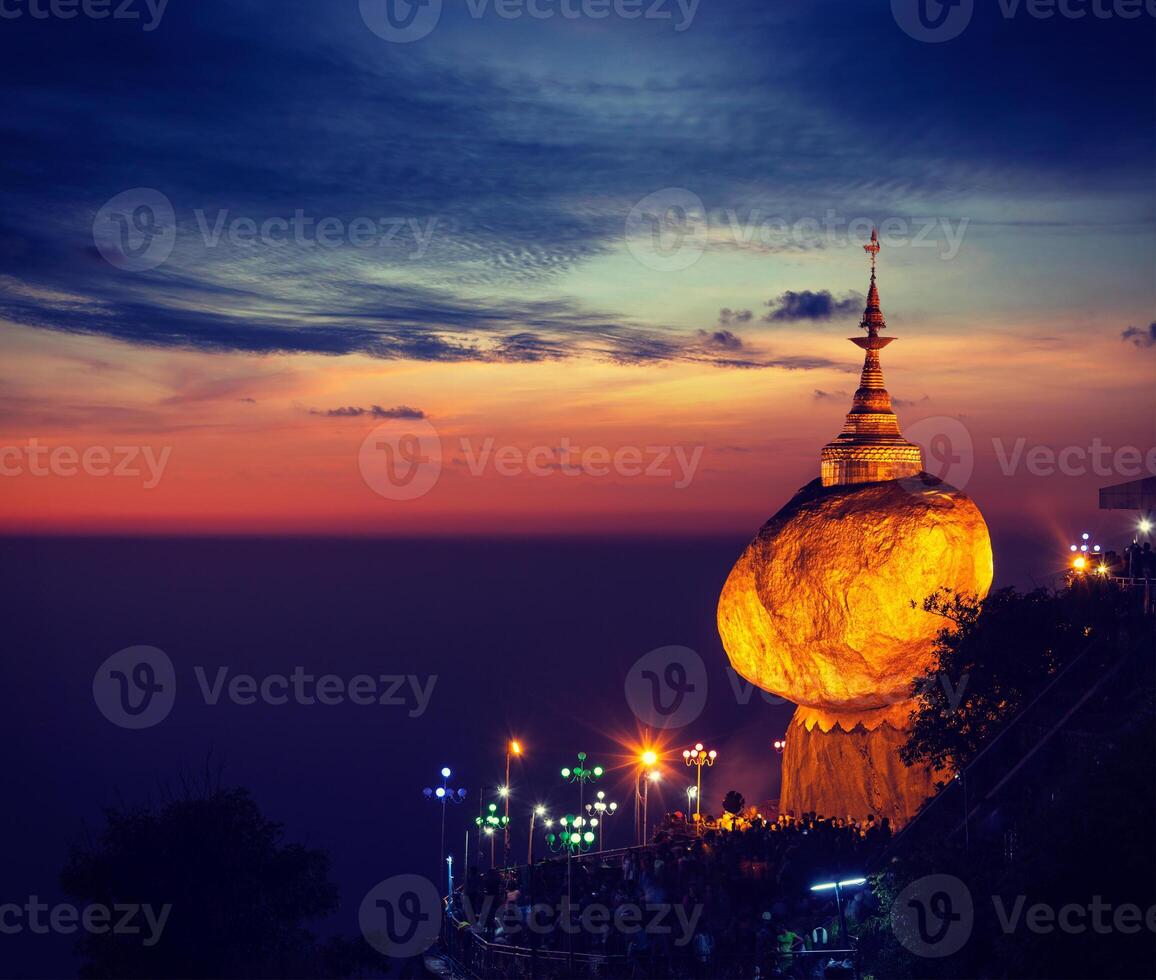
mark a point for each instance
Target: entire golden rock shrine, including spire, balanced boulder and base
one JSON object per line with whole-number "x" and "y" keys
{"x": 825, "y": 607}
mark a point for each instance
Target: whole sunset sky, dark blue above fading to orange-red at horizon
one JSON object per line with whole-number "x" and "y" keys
{"x": 583, "y": 273}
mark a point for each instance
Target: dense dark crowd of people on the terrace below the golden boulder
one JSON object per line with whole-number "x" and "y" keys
{"x": 723, "y": 903}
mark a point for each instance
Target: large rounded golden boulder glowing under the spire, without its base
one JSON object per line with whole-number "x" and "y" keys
{"x": 819, "y": 608}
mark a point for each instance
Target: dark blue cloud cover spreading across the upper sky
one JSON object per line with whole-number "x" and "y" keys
{"x": 524, "y": 160}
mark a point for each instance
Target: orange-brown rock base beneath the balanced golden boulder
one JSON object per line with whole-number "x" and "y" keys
{"x": 848, "y": 763}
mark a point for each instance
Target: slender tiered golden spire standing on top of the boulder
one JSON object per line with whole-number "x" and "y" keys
{"x": 871, "y": 448}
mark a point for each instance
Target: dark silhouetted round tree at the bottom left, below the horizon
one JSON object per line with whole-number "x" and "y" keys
{"x": 240, "y": 897}
